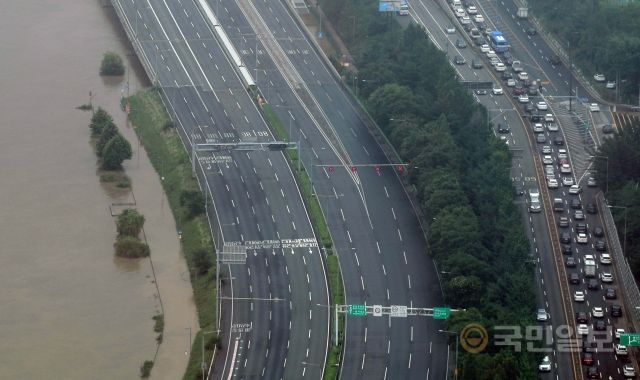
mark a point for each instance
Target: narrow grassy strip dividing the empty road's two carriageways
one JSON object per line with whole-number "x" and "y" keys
{"x": 322, "y": 231}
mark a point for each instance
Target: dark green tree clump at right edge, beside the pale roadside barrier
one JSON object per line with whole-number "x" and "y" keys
{"x": 618, "y": 170}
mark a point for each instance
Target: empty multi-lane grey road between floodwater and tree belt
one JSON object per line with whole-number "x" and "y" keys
{"x": 281, "y": 293}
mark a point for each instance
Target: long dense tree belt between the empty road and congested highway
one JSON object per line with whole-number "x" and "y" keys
{"x": 460, "y": 171}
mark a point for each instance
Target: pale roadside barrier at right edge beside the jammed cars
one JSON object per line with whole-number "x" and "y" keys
{"x": 628, "y": 285}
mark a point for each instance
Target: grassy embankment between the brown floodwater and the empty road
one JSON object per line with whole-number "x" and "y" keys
{"x": 171, "y": 161}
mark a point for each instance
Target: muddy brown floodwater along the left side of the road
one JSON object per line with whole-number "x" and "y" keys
{"x": 68, "y": 308}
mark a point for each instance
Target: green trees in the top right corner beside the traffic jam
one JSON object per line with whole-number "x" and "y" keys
{"x": 601, "y": 36}
